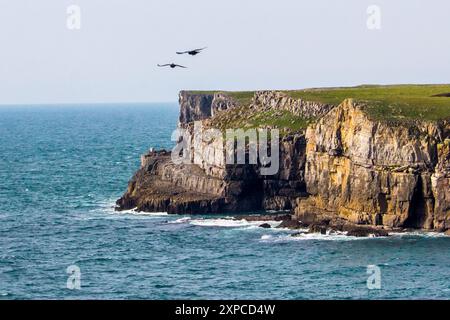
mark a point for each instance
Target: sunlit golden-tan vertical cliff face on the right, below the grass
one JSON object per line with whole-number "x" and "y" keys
{"x": 370, "y": 172}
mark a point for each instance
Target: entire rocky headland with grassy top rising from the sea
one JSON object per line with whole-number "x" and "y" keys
{"x": 340, "y": 161}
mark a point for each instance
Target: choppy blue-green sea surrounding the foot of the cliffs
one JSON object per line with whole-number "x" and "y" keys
{"x": 63, "y": 167}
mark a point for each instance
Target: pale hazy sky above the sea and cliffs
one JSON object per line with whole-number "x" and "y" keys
{"x": 252, "y": 44}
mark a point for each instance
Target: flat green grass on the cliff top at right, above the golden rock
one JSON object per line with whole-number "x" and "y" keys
{"x": 394, "y": 102}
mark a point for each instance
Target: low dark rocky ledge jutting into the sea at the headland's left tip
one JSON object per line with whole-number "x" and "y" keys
{"x": 162, "y": 186}
